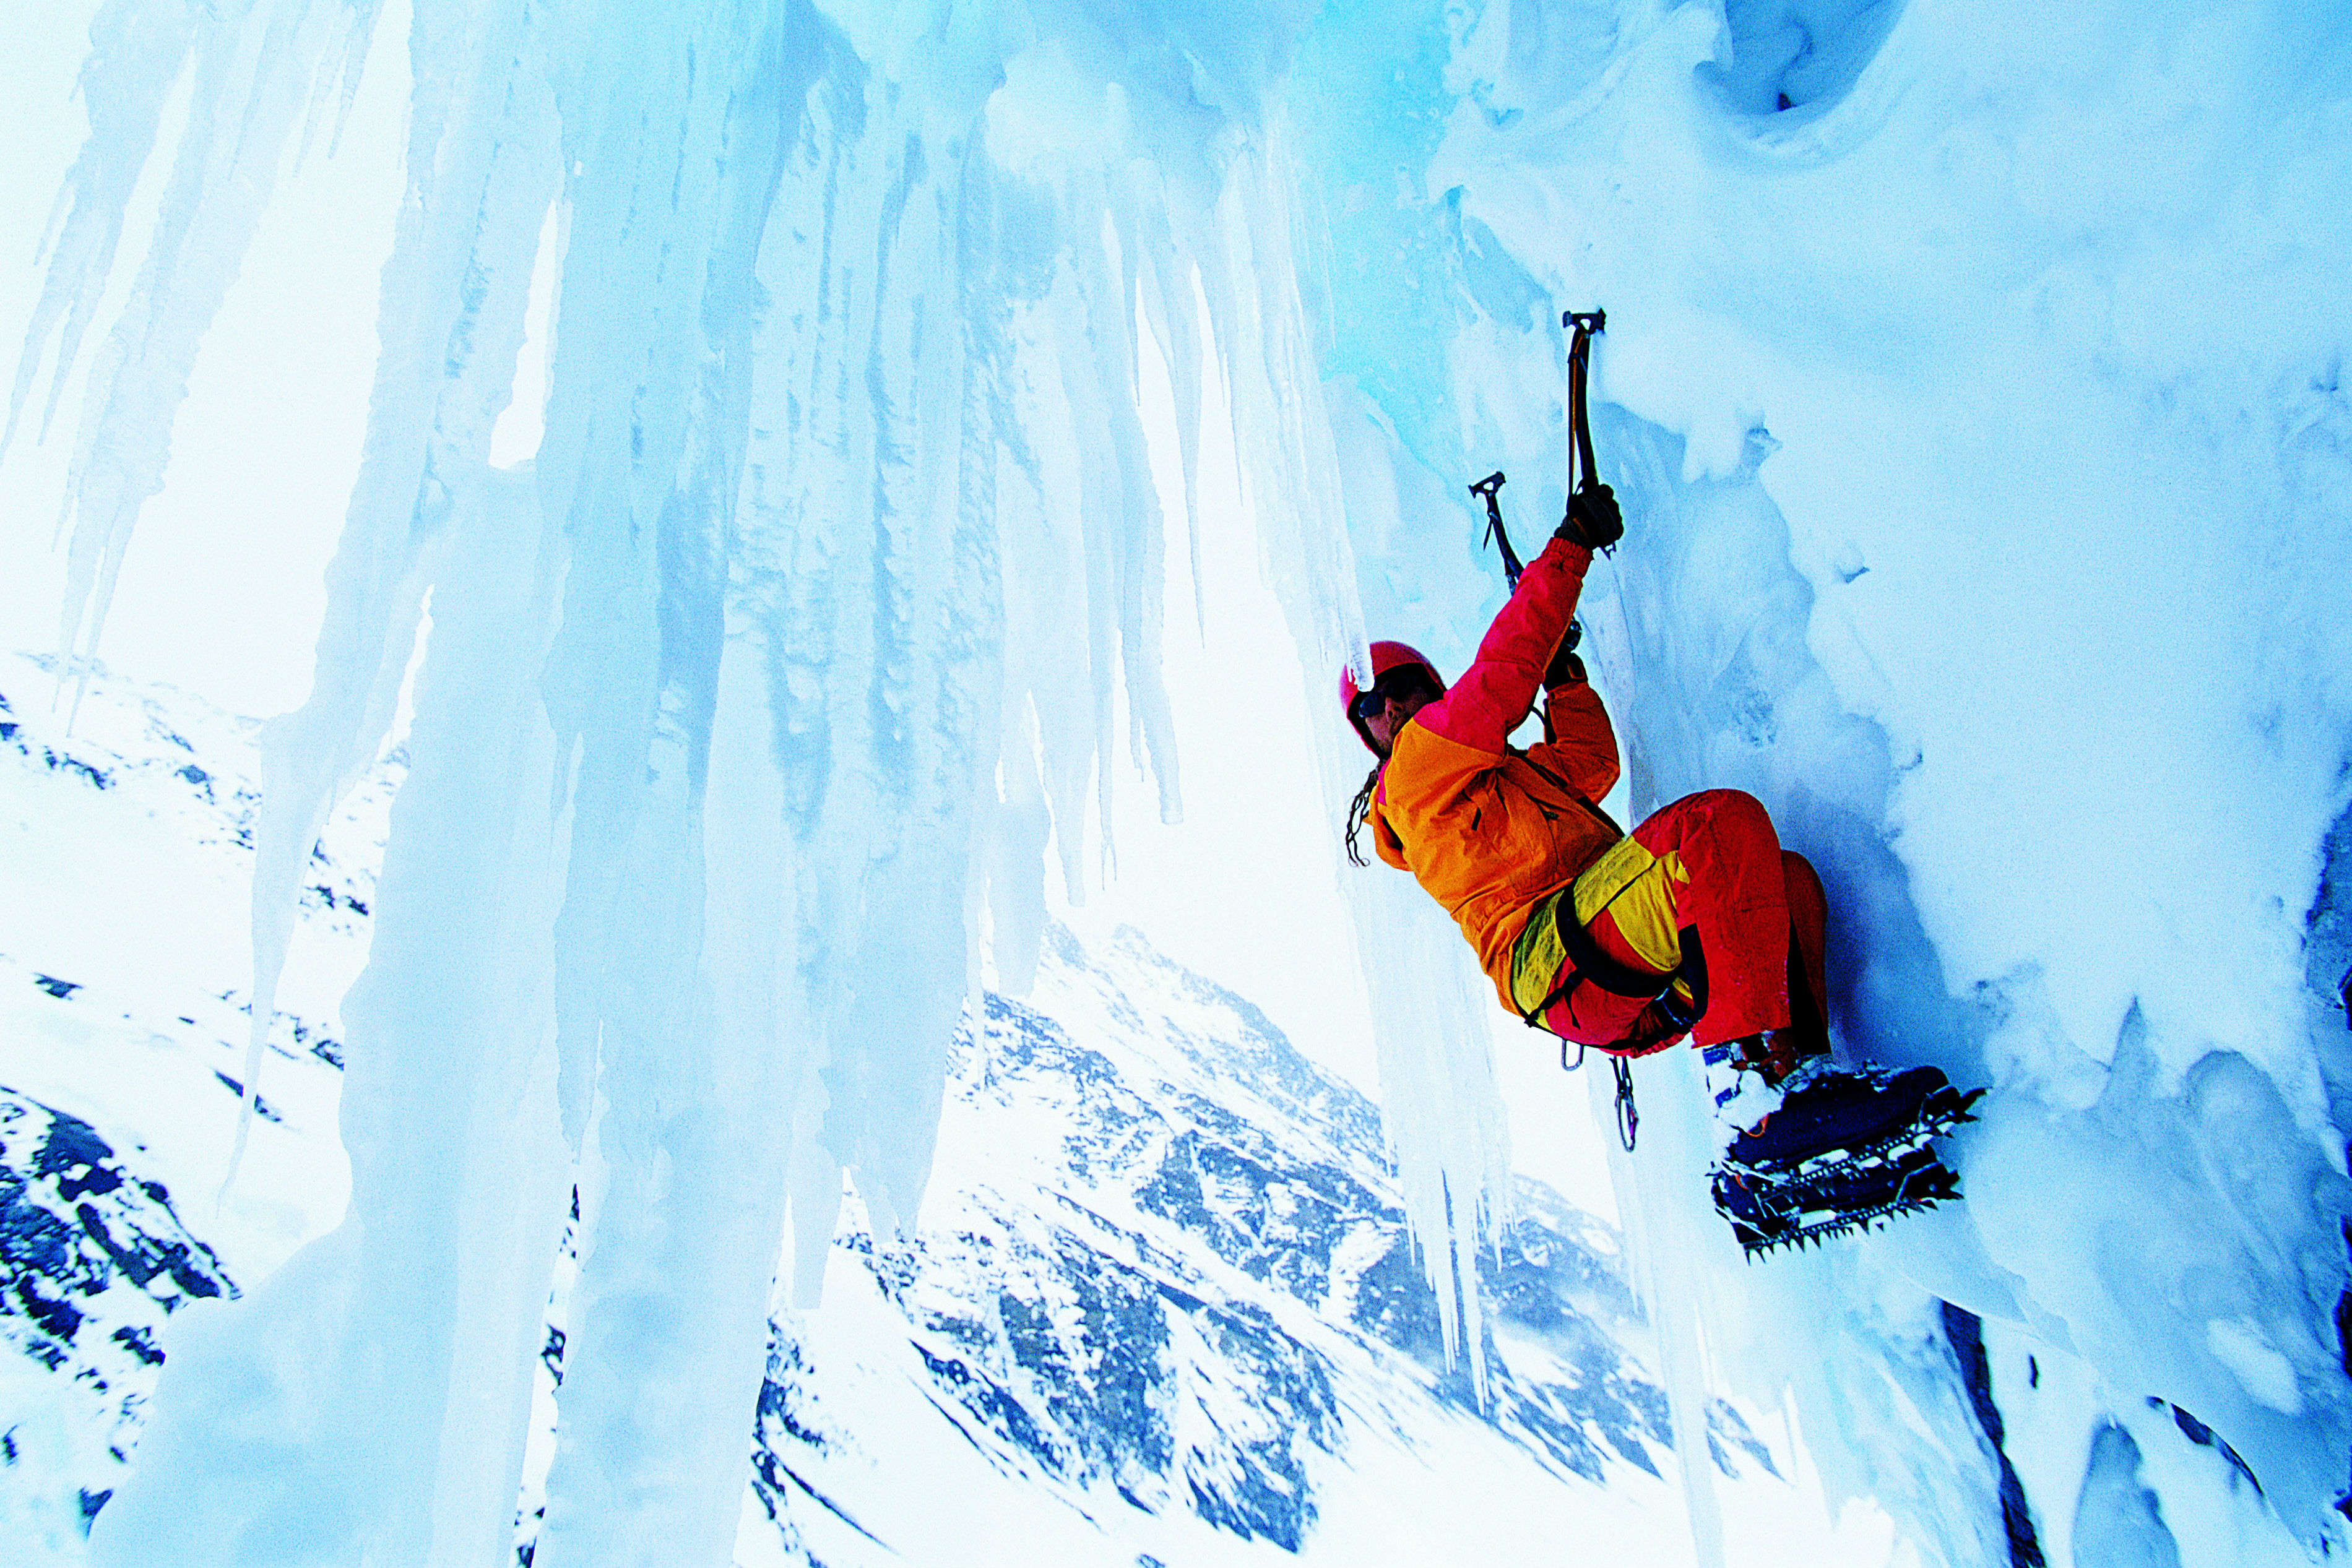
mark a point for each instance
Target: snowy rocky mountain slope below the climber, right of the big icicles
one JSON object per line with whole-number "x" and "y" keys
{"x": 1165, "y": 1282}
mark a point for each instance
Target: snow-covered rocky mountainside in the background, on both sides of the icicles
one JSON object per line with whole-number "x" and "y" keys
{"x": 1161, "y": 1304}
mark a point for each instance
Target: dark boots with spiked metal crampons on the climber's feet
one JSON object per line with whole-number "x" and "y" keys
{"x": 1871, "y": 1158}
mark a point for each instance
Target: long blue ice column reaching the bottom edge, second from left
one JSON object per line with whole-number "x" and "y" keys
{"x": 674, "y": 135}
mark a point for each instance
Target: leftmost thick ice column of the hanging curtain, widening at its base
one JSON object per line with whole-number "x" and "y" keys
{"x": 413, "y": 1318}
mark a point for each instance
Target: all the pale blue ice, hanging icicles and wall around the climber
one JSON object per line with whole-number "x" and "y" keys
{"x": 1975, "y": 391}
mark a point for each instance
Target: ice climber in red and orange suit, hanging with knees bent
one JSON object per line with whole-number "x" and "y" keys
{"x": 1697, "y": 923}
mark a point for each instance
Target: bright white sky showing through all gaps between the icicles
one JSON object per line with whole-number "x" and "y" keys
{"x": 222, "y": 587}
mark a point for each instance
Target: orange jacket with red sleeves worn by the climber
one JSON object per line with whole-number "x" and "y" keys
{"x": 1490, "y": 831}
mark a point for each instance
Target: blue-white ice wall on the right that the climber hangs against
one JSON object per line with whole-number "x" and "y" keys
{"x": 1975, "y": 394}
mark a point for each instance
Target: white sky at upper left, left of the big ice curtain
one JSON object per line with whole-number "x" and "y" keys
{"x": 222, "y": 589}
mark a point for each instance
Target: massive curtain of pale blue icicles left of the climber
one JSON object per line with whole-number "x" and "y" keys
{"x": 843, "y": 481}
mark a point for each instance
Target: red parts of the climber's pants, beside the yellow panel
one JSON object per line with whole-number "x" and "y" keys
{"x": 1753, "y": 930}
